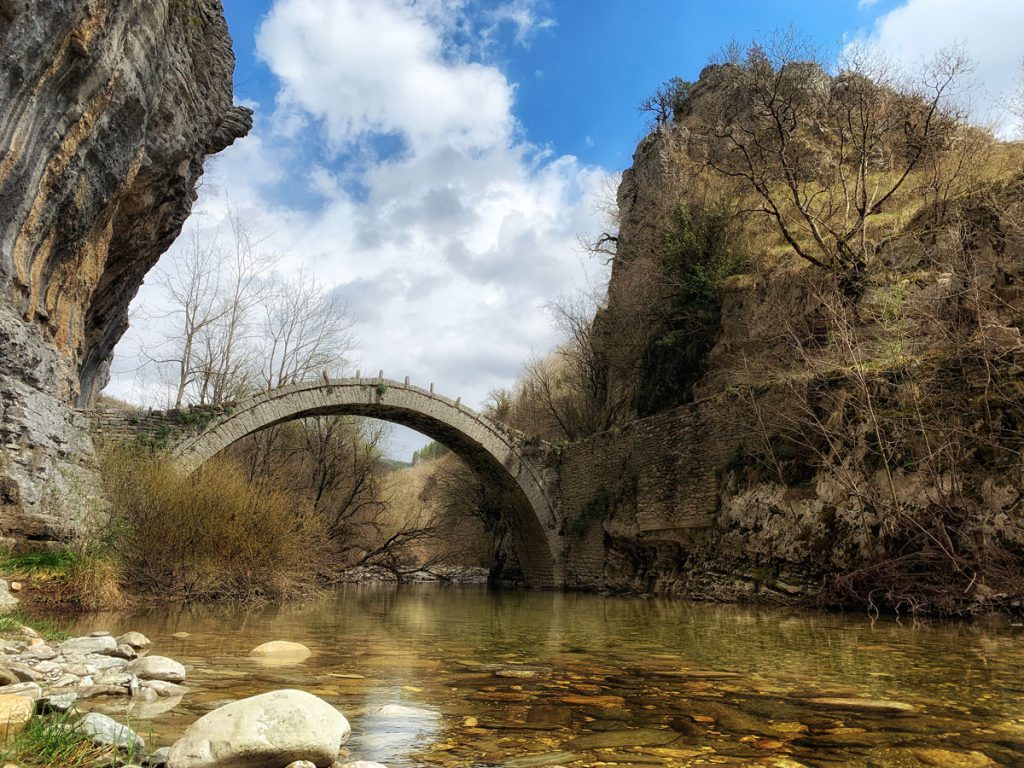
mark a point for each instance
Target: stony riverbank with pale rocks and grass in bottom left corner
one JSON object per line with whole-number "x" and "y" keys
{"x": 52, "y": 695}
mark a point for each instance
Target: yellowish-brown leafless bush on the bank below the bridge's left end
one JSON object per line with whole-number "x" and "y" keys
{"x": 211, "y": 536}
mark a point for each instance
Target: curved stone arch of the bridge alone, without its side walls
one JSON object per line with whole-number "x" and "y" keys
{"x": 511, "y": 482}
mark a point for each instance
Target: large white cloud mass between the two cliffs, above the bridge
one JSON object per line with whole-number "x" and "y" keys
{"x": 448, "y": 249}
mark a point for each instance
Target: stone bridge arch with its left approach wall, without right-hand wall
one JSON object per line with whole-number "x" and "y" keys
{"x": 514, "y": 467}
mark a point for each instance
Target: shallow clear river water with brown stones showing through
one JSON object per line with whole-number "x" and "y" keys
{"x": 462, "y": 676}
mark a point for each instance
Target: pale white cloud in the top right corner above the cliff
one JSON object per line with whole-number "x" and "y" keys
{"x": 991, "y": 30}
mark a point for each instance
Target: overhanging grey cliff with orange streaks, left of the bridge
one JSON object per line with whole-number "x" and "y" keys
{"x": 110, "y": 110}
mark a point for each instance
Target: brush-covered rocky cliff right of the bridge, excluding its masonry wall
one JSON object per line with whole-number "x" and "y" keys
{"x": 838, "y": 250}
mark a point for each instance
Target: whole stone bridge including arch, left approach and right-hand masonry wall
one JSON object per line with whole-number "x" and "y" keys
{"x": 655, "y": 484}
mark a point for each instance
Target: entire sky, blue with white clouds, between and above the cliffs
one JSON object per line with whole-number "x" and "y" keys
{"x": 436, "y": 162}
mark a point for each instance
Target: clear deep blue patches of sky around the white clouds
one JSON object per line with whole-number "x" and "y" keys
{"x": 580, "y": 79}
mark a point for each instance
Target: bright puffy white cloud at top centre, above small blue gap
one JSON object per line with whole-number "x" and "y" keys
{"x": 377, "y": 67}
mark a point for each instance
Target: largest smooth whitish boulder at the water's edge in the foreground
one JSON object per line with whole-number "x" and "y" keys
{"x": 266, "y": 732}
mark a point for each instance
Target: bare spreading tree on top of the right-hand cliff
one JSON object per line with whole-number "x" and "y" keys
{"x": 825, "y": 156}
